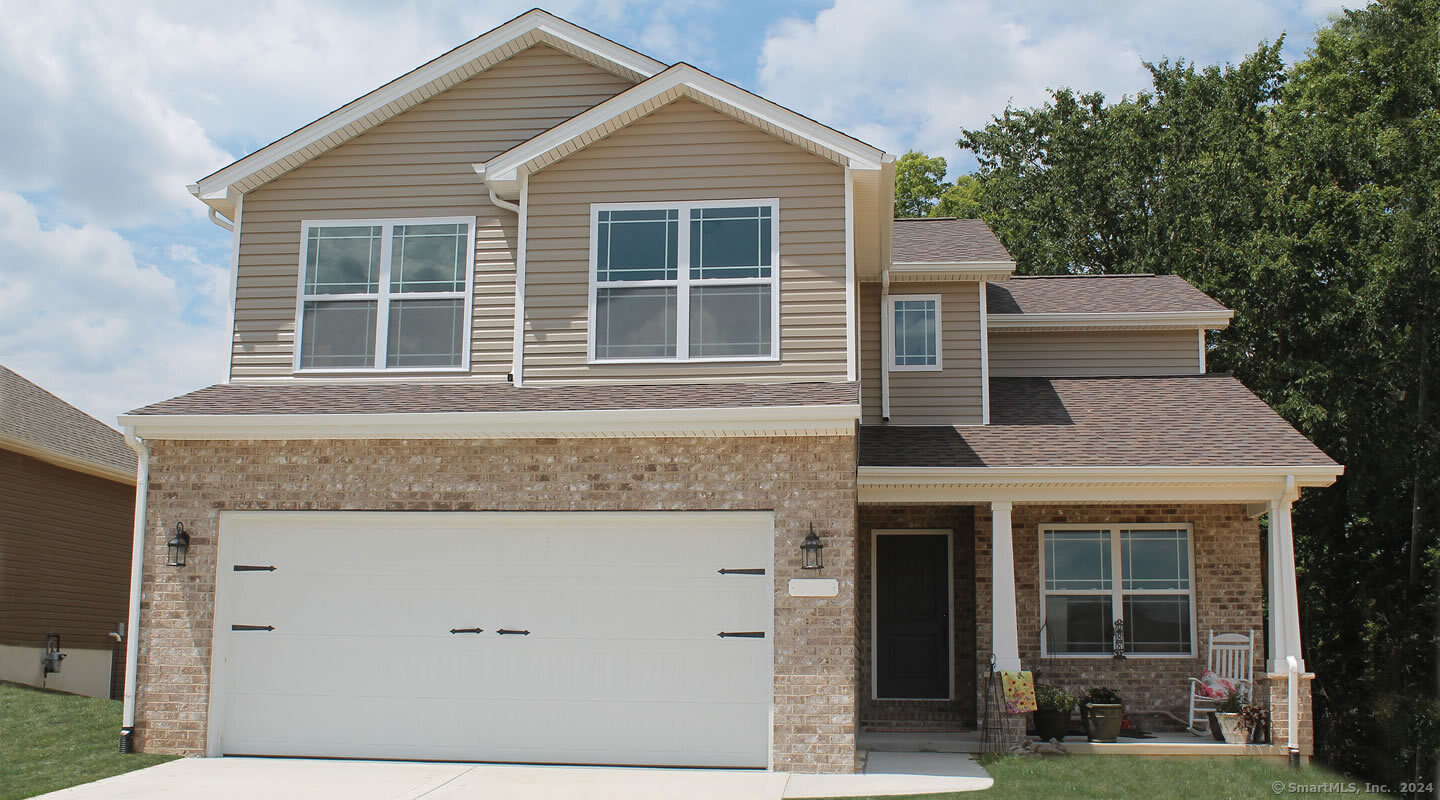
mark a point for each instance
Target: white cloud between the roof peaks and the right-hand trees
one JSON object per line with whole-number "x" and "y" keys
{"x": 915, "y": 73}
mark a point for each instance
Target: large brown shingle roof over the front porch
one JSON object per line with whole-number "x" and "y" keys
{"x": 1192, "y": 421}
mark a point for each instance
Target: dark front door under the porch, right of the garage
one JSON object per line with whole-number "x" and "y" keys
{"x": 912, "y": 617}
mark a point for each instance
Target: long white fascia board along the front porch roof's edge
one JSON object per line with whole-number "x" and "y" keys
{"x": 1086, "y": 484}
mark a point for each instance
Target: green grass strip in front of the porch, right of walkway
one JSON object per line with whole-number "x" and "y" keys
{"x": 1124, "y": 778}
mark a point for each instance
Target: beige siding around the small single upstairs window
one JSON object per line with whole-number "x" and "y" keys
{"x": 951, "y": 396}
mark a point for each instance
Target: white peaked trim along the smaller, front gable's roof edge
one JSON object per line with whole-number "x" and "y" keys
{"x": 503, "y": 173}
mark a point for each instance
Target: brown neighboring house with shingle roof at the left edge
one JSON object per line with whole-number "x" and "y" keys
{"x": 67, "y": 522}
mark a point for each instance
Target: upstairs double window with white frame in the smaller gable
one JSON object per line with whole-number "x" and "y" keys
{"x": 685, "y": 281}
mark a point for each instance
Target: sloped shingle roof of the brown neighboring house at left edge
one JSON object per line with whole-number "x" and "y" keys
{"x": 38, "y": 424}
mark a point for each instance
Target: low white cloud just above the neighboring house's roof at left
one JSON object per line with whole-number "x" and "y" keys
{"x": 86, "y": 320}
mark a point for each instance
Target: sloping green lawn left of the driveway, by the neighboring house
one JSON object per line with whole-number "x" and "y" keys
{"x": 53, "y": 740}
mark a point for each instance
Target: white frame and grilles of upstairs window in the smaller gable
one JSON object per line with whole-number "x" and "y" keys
{"x": 683, "y": 280}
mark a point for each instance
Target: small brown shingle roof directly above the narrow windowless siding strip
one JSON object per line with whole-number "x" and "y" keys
{"x": 1097, "y": 294}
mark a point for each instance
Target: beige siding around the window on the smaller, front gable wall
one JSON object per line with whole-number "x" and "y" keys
{"x": 688, "y": 152}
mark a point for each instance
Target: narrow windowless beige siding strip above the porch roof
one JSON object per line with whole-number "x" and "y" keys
{"x": 1094, "y": 353}
